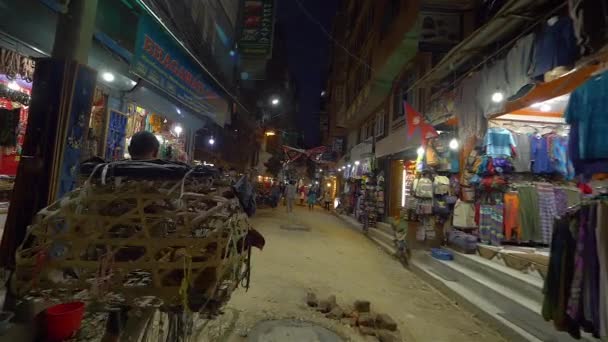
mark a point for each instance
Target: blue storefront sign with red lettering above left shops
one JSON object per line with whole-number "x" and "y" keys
{"x": 160, "y": 60}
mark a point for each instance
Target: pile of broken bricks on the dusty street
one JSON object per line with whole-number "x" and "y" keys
{"x": 376, "y": 326}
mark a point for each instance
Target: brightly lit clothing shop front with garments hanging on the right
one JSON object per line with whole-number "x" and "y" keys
{"x": 534, "y": 167}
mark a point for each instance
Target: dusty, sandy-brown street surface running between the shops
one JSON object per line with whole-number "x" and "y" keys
{"x": 319, "y": 252}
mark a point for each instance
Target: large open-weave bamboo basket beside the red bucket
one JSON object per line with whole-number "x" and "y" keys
{"x": 137, "y": 242}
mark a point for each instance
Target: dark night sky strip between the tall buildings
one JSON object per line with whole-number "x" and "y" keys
{"x": 308, "y": 57}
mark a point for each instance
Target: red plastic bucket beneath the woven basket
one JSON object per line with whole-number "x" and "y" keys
{"x": 63, "y": 320}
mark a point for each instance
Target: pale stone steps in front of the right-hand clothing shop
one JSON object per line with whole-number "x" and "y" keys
{"x": 503, "y": 300}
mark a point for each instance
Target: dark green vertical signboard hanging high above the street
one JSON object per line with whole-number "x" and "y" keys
{"x": 258, "y": 27}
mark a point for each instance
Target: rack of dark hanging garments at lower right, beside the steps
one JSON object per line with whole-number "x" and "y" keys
{"x": 575, "y": 288}
